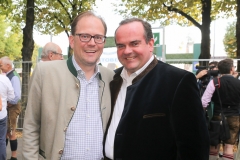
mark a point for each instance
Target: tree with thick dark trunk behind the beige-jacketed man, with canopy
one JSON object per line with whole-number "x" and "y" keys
{"x": 50, "y": 17}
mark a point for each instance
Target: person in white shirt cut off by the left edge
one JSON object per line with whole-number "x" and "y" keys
{"x": 6, "y": 94}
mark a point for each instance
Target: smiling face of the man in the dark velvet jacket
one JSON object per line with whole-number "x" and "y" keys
{"x": 132, "y": 49}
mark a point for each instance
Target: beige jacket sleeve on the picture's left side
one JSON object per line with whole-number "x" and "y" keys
{"x": 32, "y": 121}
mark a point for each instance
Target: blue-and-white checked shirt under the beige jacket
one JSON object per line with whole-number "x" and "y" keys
{"x": 84, "y": 135}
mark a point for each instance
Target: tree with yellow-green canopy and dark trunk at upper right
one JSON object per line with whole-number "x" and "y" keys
{"x": 184, "y": 13}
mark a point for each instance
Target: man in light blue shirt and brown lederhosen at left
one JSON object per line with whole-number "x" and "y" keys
{"x": 13, "y": 106}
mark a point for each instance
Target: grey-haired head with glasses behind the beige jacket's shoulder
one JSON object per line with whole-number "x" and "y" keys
{"x": 51, "y": 52}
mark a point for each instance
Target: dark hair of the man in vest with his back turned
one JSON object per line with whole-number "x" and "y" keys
{"x": 225, "y": 66}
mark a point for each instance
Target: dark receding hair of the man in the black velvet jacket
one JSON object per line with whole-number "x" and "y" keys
{"x": 147, "y": 27}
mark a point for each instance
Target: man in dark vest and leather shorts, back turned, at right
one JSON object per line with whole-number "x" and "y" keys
{"x": 229, "y": 92}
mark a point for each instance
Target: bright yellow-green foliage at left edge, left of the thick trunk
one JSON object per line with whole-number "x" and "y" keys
{"x": 10, "y": 42}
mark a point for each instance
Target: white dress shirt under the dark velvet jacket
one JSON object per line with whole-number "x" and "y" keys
{"x": 118, "y": 108}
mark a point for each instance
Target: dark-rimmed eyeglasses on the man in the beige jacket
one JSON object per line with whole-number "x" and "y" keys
{"x": 87, "y": 37}
